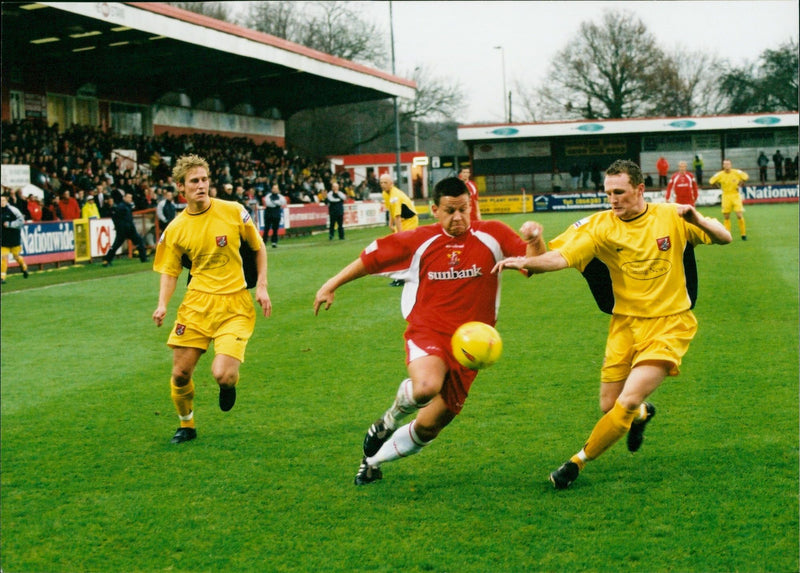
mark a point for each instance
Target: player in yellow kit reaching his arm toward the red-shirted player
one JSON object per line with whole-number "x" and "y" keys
{"x": 639, "y": 261}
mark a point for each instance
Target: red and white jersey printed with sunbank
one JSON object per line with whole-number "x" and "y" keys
{"x": 448, "y": 280}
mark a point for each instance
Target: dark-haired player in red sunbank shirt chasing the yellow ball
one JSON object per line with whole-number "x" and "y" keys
{"x": 448, "y": 281}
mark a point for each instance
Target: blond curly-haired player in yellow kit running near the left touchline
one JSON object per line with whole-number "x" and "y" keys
{"x": 217, "y": 305}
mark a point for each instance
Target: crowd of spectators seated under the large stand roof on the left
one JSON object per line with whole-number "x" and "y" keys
{"x": 77, "y": 165}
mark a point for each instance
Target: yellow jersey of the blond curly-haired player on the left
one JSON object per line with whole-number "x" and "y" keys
{"x": 211, "y": 241}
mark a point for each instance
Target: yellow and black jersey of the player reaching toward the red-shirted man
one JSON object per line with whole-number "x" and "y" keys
{"x": 649, "y": 260}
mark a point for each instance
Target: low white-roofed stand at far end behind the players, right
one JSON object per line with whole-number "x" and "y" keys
{"x": 508, "y": 157}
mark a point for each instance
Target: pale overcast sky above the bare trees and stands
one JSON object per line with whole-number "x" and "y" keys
{"x": 456, "y": 39}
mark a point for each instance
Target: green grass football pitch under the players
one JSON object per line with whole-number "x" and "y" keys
{"x": 90, "y": 482}
